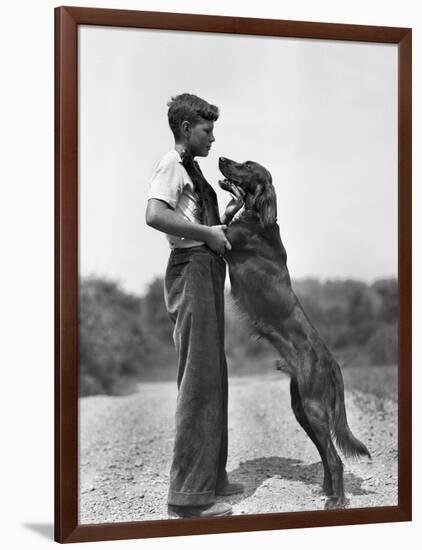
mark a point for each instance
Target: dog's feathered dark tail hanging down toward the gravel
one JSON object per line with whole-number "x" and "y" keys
{"x": 346, "y": 441}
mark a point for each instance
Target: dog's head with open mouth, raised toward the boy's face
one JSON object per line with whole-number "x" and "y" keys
{"x": 256, "y": 183}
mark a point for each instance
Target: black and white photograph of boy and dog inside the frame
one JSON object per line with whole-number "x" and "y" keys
{"x": 237, "y": 283}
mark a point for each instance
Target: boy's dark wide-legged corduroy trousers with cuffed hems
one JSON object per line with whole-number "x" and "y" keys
{"x": 194, "y": 296}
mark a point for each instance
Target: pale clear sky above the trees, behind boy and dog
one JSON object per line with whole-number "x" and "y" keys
{"x": 320, "y": 115}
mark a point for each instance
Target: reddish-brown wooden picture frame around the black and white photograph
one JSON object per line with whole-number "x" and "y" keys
{"x": 67, "y": 20}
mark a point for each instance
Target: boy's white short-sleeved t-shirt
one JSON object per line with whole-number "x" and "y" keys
{"x": 172, "y": 184}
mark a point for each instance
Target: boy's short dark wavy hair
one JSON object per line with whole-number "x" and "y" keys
{"x": 191, "y": 108}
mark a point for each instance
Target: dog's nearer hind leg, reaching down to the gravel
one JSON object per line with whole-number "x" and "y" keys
{"x": 318, "y": 419}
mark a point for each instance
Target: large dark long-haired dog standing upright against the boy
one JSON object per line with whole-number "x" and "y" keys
{"x": 261, "y": 287}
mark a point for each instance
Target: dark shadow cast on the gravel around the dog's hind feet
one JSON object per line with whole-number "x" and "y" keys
{"x": 254, "y": 472}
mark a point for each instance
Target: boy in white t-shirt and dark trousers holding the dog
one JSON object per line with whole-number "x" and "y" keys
{"x": 194, "y": 297}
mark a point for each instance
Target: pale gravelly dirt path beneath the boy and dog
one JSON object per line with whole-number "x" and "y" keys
{"x": 126, "y": 444}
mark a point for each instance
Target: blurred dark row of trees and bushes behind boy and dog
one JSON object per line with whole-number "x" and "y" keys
{"x": 125, "y": 337}
